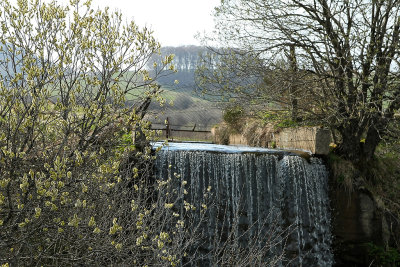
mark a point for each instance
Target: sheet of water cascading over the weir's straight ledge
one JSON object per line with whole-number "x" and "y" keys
{"x": 269, "y": 204}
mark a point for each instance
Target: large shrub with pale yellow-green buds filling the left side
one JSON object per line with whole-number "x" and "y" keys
{"x": 70, "y": 179}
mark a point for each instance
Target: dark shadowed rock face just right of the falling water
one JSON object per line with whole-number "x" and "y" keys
{"x": 357, "y": 221}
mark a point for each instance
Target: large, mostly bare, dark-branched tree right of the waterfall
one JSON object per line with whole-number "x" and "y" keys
{"x": 346, "y": 60}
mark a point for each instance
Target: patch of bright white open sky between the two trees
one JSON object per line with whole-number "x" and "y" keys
{"x": 174, "y": 22}
